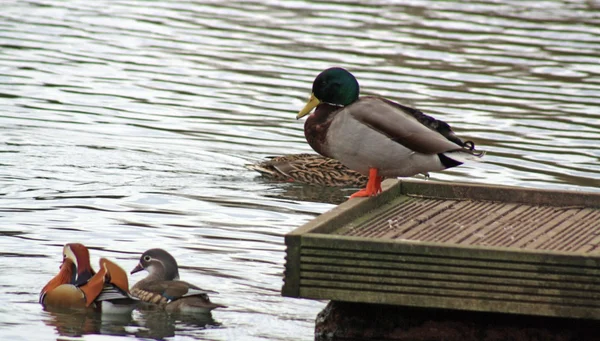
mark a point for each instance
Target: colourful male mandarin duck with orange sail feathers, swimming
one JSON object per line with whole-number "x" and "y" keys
{"x": 77, "y": 285}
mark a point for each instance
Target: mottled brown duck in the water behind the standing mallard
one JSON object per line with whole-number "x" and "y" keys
{"x": 310, "y": 169}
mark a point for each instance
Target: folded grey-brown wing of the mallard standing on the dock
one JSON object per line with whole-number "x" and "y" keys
{"x": 398, "y": 124}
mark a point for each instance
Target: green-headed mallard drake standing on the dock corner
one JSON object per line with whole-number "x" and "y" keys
{"x": 376, "y": 136}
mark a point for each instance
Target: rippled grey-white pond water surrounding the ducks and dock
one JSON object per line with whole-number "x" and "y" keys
{"x": 126, "y": 125}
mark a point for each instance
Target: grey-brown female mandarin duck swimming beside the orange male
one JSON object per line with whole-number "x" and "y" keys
{"x": 163, "y": 288}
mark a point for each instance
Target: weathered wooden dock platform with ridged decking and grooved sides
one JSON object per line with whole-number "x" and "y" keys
{"x": 454, "y": 246}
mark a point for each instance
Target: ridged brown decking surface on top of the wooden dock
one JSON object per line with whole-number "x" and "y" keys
{"x": 468, "y": 222}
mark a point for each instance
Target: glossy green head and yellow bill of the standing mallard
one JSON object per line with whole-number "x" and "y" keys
{"x": 335, "y": 86}
